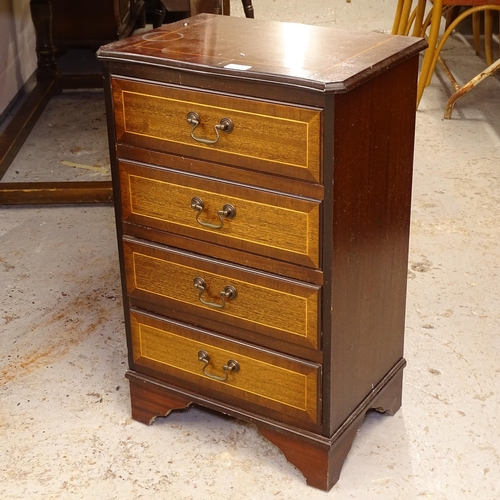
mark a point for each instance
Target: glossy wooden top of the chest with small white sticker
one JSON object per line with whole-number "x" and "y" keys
{"x": 326, "y": 59}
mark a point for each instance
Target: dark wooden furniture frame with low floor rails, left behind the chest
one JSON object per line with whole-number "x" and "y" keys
{"x": 88, "y": 23}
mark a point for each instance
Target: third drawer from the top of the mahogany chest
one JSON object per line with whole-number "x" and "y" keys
{"x": 262, "y": 303}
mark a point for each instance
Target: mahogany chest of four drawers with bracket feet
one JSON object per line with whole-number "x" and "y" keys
{"x": 262, "y": 180}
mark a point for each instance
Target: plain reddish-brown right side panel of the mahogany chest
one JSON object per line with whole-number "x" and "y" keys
{"x": 372, "y": 177}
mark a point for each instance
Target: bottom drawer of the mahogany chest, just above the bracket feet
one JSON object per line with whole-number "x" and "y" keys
{"x": 259, "y": 380}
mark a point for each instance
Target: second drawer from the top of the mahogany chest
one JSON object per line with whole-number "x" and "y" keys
{"x": 277, "y": 226}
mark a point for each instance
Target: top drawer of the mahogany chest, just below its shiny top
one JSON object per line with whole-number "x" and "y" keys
{"x": 270, "y": 137}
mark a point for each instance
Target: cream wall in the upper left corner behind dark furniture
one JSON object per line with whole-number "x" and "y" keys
{"x": 17, "y": 48}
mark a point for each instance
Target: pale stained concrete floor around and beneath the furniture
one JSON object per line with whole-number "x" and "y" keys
{"x": 65, "y": 425}
